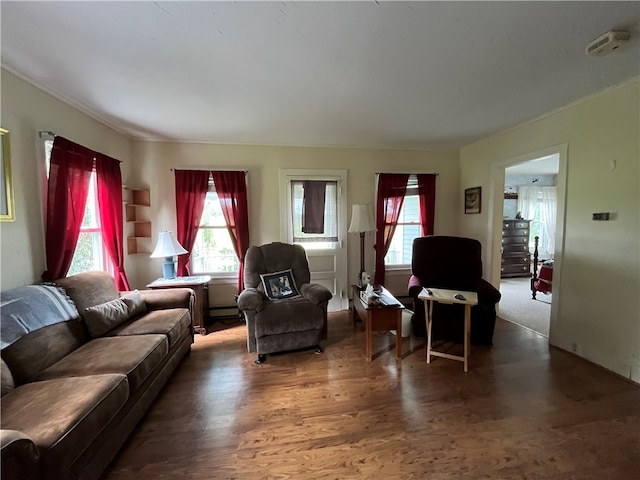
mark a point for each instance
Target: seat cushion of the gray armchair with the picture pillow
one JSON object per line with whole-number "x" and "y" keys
{"x": 287, "y": 316}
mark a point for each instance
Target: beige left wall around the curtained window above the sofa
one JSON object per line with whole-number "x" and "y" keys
{"x": 25, "y": 111}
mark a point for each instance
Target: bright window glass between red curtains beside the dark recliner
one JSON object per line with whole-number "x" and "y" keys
{"x": 407, "y": 229}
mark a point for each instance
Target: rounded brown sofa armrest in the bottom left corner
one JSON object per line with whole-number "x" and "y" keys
{"x": 20, "y": 455}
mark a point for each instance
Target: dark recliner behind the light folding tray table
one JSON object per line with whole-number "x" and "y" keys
{"x": 453, "y": 263}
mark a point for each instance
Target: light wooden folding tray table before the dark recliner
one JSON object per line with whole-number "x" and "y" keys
{"x": 441, "y": 295}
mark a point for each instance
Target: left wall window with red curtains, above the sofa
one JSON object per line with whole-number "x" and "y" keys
{"x": 76, "y": 233}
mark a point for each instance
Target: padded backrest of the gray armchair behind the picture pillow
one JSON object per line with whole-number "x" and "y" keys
{"x": 275, "y": 257}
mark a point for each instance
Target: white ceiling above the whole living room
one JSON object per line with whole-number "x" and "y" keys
{"x": 364, "y": 74}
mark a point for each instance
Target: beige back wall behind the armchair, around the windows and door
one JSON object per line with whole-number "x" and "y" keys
{"x": 154, "y": 161}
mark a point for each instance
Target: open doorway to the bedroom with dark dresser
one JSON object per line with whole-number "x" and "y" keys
{"x": 531, "y": 205}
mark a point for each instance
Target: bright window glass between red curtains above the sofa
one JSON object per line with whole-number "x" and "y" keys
{"x": 90, "y": 253}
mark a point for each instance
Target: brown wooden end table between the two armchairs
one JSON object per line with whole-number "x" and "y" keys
{"x": 379, "y": 317}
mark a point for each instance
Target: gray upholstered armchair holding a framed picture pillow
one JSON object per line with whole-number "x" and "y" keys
{"x": 283, "y": 310}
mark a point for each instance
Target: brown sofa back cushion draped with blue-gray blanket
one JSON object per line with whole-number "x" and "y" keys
{"x": 39, "y": 325}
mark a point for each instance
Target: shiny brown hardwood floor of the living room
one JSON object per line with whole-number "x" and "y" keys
{"x": 523, "y": 411}
